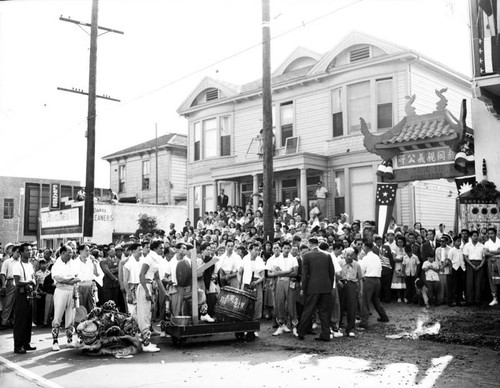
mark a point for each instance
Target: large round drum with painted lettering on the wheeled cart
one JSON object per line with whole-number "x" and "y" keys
{"x": 234, "y": 305}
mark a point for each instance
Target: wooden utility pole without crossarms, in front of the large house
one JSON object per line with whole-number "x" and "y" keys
{"x": 268, "y": 124}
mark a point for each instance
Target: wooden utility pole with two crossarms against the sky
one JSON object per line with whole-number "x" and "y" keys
{"x": 88, "y": 219}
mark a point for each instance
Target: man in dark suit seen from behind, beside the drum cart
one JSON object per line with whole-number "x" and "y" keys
{"x": 317, "y": 279}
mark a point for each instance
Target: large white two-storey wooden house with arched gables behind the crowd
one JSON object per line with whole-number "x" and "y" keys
{"x": 318, "y": 100}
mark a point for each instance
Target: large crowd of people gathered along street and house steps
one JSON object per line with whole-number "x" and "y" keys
{"x": 315, "y": 272}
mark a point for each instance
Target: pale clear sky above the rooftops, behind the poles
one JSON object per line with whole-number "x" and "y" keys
{"x": 167, "y": 48}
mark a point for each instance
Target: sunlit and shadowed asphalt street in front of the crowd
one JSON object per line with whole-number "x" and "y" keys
{"x": 369, "y": 360}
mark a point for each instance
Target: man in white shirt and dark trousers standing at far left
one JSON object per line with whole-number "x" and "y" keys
{"x": 24, "y": 280}
